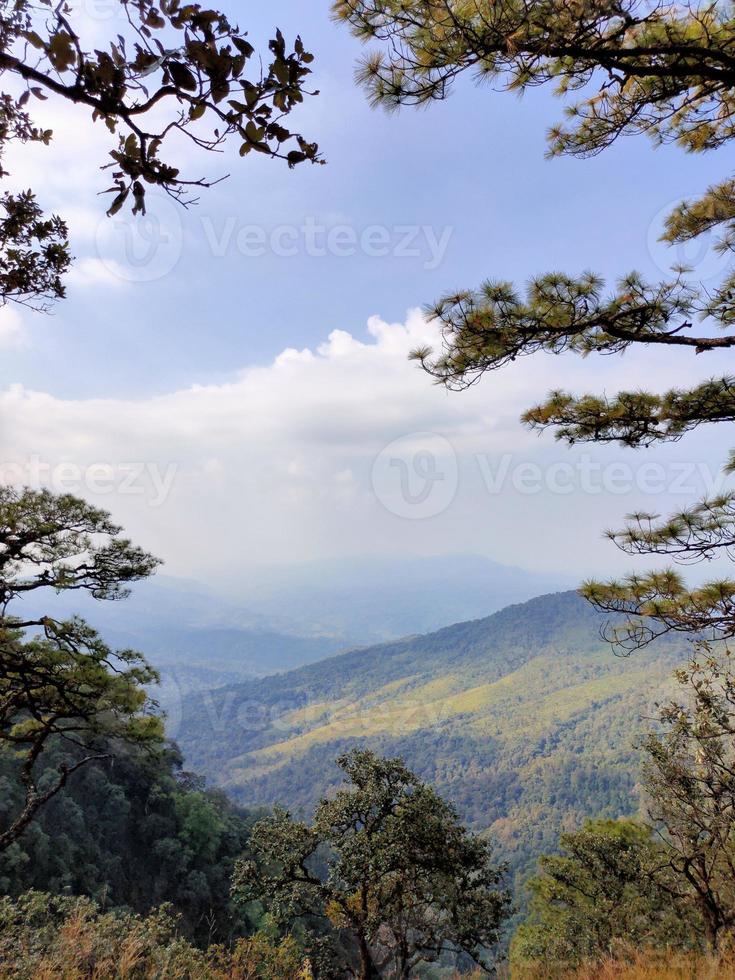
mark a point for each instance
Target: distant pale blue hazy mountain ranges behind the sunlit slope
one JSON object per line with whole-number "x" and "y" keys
{"x": 203, "y": 636}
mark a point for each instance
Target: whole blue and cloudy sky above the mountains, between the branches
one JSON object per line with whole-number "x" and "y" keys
{"x": 232, "y": 381}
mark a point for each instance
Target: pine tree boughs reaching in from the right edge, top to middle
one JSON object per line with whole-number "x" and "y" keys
{"x": 664, "y": 70}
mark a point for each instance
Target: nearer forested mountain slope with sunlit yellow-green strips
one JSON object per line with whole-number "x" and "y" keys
{"x": 525, "y": 719}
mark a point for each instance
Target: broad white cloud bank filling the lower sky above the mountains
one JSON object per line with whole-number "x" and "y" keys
{"x": 278, "y": 463}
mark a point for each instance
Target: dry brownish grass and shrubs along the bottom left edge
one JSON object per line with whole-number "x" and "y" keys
{"x": 43, "y": 936}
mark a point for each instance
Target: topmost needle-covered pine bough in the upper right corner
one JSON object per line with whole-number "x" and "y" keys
{"x": 670, "y": 67}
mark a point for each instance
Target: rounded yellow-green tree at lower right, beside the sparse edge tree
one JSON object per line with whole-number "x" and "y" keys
{"x": 606, "y": 887}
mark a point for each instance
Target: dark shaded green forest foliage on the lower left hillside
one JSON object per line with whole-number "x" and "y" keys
{"x": 134, "y": 831}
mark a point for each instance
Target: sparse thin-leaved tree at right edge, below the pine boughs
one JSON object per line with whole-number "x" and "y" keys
{"x": 689, "y": 777}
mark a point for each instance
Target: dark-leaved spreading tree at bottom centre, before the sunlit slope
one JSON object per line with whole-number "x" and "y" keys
{"x": 401, "y": 882}
